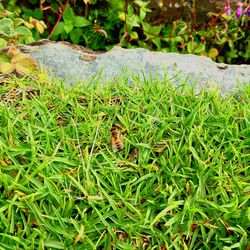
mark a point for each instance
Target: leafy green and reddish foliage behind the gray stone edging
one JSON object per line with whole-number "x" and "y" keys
{"x": 101, "y": 24}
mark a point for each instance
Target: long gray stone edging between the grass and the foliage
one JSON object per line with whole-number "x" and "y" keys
{"x": 64, "y": 62}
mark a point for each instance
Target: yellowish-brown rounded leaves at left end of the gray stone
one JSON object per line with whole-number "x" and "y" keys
{"x": 13, "y": 61}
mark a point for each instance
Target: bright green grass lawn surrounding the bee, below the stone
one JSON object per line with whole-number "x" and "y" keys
{"x": 63, "y": 187}
